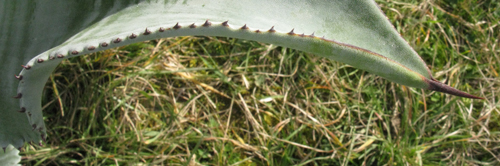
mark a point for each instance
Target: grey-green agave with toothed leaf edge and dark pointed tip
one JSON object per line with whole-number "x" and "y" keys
{"x": 38, "y": 34}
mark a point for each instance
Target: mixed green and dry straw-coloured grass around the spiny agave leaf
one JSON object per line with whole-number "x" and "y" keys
{"x": 222, "y": 101}
